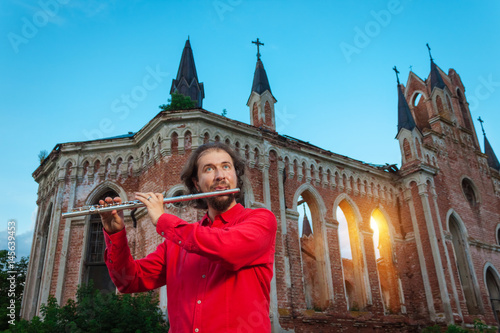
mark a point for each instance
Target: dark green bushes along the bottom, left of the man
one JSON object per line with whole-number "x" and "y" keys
{"x": 95, "y": 311}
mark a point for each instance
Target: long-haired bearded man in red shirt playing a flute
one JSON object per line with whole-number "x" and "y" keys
{"x": 218, "y": 271}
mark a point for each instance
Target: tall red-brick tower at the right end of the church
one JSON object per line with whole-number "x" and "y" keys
{"x": 444, "y": 175}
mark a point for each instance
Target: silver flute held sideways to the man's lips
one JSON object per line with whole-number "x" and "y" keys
{"x": 96, "y": 209}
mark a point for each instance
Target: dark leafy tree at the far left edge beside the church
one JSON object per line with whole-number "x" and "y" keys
{"x": 8, "y": 264}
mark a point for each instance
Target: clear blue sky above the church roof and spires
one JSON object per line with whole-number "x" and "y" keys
{"x": 67, "y": 66}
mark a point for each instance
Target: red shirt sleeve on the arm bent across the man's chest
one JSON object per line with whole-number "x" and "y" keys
{"x": 248, "y": 243}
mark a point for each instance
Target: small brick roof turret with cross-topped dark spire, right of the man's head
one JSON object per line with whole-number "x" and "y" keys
{"x": 261, "y": 100}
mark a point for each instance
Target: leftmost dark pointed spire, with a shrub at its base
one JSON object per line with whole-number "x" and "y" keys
{"x": 187, "y": 82}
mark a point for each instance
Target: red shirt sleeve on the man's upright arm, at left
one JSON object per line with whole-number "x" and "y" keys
{"x": 130, "y": 275}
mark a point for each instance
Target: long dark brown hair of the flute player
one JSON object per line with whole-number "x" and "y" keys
{"x": 190, "y": 171}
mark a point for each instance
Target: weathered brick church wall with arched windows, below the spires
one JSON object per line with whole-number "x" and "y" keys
{"x": 402, "y": 294}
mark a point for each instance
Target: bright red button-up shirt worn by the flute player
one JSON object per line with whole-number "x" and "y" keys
{"x": 218, "y": 275}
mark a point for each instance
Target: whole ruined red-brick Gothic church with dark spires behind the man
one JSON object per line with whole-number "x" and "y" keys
{"x": 422, "y": 240}
